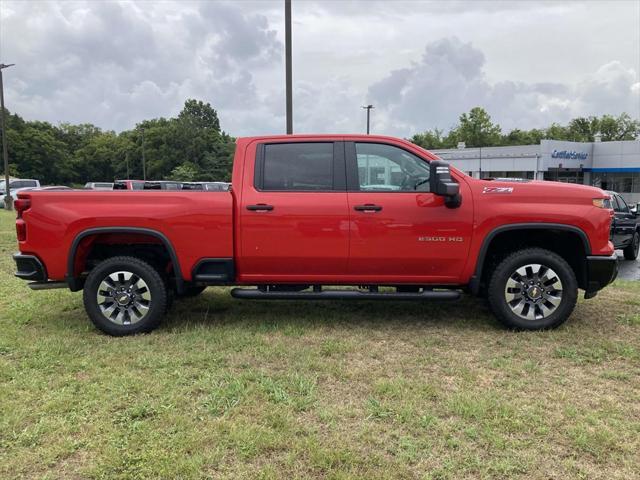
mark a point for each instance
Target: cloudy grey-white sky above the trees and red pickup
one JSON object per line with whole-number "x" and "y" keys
{"x": 421, "y": 64}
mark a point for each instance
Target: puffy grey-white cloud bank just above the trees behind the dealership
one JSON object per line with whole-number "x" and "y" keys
{"x": 450, "y": 79}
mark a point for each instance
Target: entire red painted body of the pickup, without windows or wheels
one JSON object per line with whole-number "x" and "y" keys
{"x": 316, "y": 237}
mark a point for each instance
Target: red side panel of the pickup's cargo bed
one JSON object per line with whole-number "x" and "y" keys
{"x": 197, "y": 223}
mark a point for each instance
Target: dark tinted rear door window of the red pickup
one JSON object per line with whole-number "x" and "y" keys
{"x": 298, "y": 166}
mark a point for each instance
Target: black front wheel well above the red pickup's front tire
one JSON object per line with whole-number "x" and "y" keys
{"x": 566, "y": 243}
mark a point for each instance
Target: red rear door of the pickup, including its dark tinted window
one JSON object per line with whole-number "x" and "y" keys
{"x": 294, "y": 218}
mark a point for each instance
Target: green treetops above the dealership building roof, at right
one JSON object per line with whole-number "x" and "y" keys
{"x": 476, "y": 129}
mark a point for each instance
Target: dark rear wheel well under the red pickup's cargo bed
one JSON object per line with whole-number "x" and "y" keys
{"x": 92, "y": 248}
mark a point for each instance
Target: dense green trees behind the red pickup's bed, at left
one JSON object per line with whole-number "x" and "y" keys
{"x": 188, "y": 147}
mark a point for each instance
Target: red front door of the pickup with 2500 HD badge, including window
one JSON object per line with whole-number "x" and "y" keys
{"x": 400, "y": 231}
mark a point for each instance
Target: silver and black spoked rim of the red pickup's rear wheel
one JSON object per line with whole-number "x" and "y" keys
{"x": 124, "y": 298}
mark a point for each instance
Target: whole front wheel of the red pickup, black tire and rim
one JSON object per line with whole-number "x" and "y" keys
{"x": 533, "y": 289}
